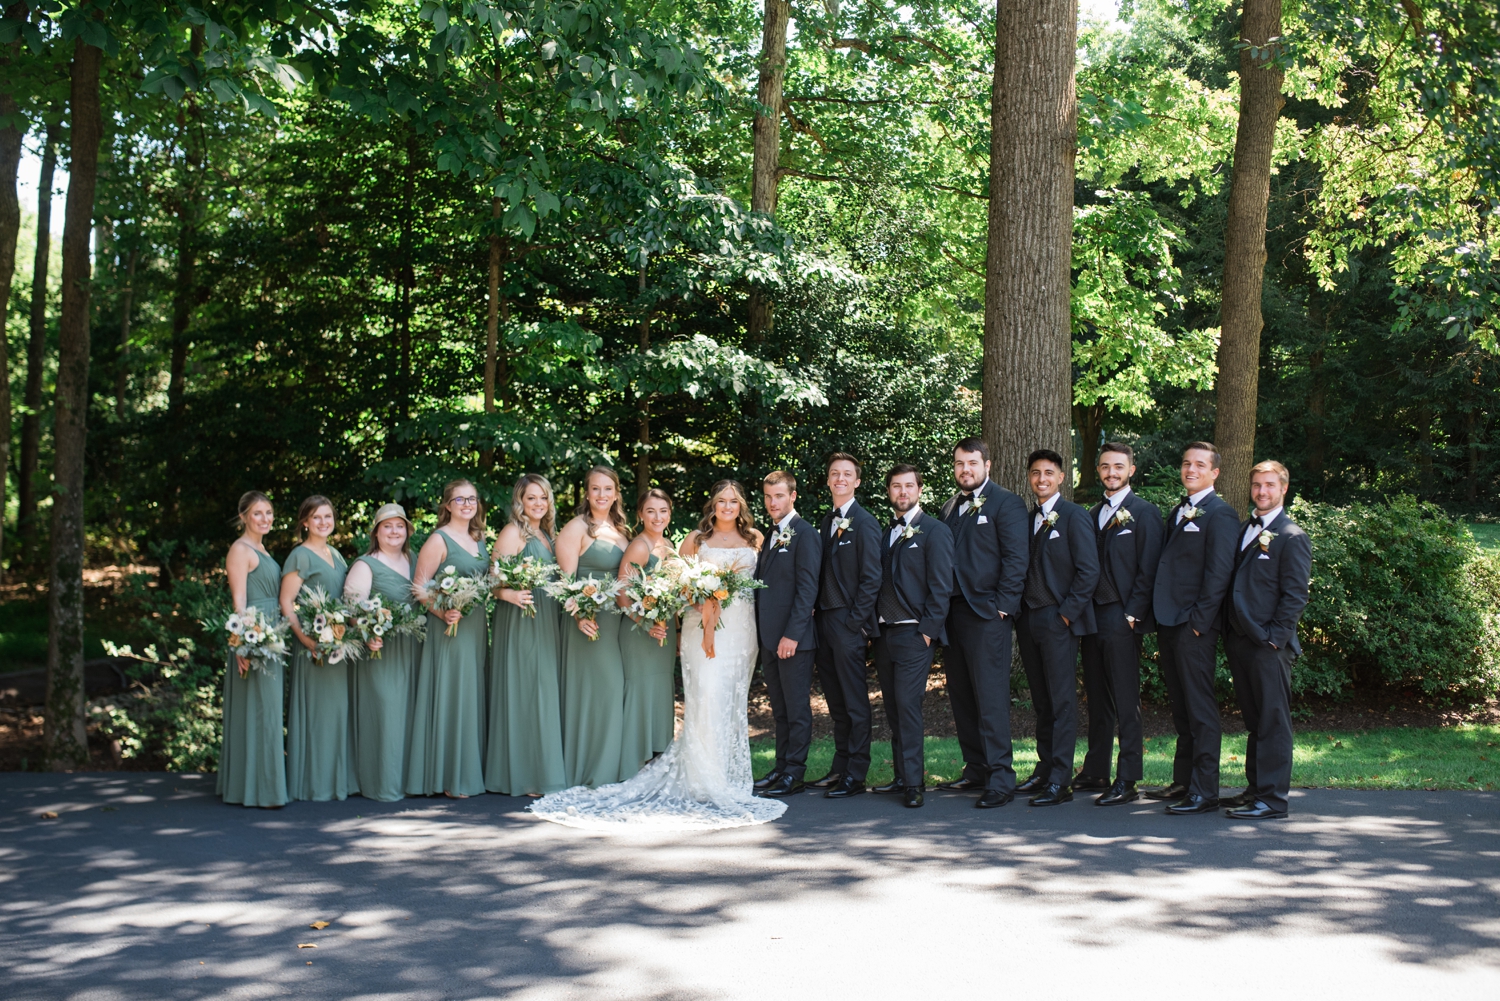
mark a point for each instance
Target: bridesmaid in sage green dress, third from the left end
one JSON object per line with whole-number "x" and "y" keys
{"x": 383, "y": 688}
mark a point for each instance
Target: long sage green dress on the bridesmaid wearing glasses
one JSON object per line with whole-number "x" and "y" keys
{"x": 448, "y": 727}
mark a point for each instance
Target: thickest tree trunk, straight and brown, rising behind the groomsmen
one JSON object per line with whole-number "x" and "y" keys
{"x": 1028, "y": 343}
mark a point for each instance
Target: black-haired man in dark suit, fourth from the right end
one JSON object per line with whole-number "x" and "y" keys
{"x": 1057, "y": 609}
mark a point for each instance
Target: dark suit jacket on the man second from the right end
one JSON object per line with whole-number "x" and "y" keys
{"x": 1198, "y": 562}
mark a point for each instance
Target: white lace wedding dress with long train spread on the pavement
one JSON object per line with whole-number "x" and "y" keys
{"x": 703, "y": 780}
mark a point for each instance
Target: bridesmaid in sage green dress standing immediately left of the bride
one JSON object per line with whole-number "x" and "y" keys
{"x": 649, "y": 658}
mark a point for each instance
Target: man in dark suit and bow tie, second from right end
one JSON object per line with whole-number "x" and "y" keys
{"x": 1198, "y": 561}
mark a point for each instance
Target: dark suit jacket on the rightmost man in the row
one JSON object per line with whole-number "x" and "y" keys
{"x": 1271, "y": 585}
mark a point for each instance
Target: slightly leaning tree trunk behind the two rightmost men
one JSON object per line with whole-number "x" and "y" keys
{"x": 1246, "y": 248}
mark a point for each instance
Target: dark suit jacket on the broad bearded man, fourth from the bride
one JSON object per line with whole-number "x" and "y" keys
{"x": 989, "y": 550}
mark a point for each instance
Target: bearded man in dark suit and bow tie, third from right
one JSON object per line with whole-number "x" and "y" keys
{"x": 1130, "y": 547}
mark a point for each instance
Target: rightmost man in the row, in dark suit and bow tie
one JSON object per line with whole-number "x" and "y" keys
{"x": 1265, "y": 603}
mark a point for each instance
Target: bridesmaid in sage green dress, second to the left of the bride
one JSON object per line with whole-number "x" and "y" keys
{"x": 593, "y": 676}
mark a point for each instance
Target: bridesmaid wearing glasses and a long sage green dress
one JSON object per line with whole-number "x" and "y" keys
{"x": 448, "y": 726}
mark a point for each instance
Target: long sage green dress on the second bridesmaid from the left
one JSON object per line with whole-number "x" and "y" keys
{"x": 320, "y": 750}
